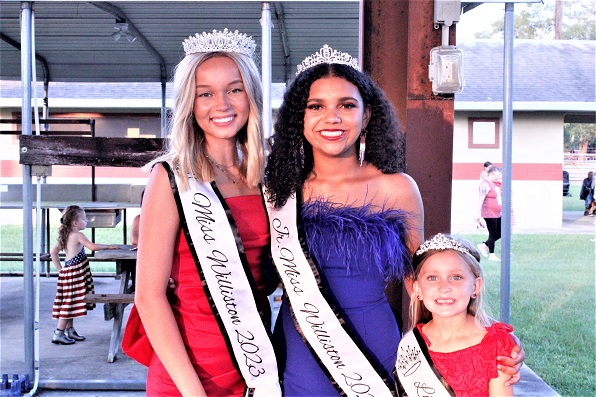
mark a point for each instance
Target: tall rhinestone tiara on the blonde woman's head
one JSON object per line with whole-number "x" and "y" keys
{"x": 217, "y": 41}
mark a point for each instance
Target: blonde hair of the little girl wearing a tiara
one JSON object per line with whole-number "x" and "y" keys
{"x": 477, "y": 308}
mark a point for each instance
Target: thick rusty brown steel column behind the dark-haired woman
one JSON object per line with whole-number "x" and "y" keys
{"x": 398, "y": 37}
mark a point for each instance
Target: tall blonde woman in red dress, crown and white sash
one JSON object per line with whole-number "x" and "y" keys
{"x": 204, "y": 225}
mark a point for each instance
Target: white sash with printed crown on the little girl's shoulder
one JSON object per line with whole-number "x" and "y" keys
{"x": 415, "y": 373}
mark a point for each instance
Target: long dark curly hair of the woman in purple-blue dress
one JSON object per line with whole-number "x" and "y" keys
{"x": 291, "y": 159}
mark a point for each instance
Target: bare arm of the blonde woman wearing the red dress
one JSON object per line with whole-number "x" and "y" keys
{"x": 159, "y": 229}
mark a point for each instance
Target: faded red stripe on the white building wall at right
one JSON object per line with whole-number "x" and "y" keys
{"x": 520, "y": 171}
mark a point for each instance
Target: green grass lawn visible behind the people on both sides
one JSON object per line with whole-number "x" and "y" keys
{"x": 552, "y": 299}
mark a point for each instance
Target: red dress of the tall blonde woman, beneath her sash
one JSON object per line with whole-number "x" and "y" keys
{"x": 201, "y": 334}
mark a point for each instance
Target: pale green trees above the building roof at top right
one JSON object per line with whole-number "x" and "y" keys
{"x": 537, "y": 21}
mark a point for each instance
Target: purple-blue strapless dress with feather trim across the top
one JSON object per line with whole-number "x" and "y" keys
{"x": 356, "y": 251}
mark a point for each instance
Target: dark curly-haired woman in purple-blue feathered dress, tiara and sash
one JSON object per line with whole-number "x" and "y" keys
{"x": 345, "y": 220}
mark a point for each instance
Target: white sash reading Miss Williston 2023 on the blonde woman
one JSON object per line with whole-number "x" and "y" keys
{"x": 214, "y": 245}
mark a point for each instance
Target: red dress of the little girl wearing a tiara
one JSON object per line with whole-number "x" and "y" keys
{"x": 469, "y": 370}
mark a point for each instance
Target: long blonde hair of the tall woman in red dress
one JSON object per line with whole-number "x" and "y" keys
{"x": 186, "y": 148}
